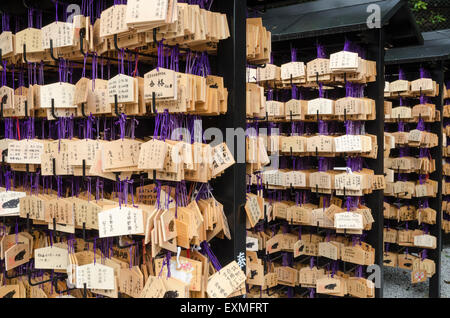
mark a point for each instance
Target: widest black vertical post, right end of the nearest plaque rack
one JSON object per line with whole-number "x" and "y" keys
{"x": 231, "y": 186}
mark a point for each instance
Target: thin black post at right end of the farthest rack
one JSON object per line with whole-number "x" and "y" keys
{"x": 436, "y": 230}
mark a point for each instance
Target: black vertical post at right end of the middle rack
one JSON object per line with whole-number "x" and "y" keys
{"x": 375, "y": 200}
